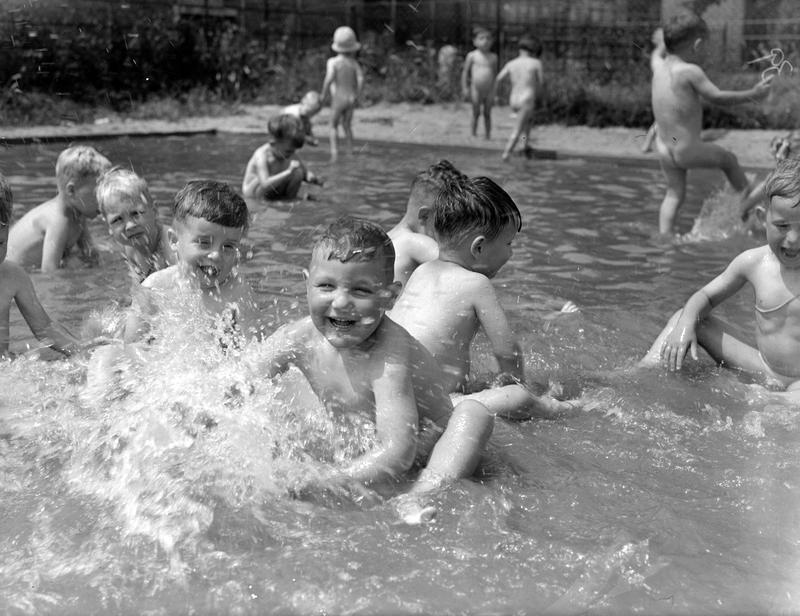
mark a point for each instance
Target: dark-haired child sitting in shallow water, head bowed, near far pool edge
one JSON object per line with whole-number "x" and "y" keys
{"x": 273, "y": 171}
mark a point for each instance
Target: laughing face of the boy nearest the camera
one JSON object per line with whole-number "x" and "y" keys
{"x": 347, "y": 301}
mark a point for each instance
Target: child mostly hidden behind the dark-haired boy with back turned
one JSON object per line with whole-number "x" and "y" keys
{"x": 413, "y": 235}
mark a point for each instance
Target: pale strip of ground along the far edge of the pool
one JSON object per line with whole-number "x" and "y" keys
{"x": 441, "y": 124}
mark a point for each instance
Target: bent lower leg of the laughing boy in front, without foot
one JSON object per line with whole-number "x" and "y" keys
{"x": 459, "y": 449}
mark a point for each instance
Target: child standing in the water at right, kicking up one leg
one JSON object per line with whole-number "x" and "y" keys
{"x": 678, "y": 90}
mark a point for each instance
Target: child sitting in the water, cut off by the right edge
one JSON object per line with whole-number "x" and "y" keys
{"x": 773, "y": 271}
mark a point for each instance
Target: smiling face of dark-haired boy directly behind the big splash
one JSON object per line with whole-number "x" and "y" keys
{"x": 206, "y": 251}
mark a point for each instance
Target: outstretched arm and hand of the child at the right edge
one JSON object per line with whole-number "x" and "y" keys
{"x": 683, "y": 336}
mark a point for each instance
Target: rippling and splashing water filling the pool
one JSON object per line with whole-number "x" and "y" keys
{"x": 667, "y": 494}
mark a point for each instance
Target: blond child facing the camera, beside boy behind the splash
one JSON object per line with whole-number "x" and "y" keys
{"x": 131, "y": 216}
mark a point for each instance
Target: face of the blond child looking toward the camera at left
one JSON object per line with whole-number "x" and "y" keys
{"x": 131, "y": 220}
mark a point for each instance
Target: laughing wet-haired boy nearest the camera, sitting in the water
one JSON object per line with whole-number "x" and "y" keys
{"x": 357, "y": 360}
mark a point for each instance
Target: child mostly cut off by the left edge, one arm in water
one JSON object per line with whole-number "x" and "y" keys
{"x": 16, "y": 287}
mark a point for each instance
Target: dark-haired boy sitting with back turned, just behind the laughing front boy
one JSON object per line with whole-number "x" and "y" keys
{"x": 447, "y": 300}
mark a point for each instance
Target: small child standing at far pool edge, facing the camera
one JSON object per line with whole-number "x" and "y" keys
{"x": 477, "y": 80}
